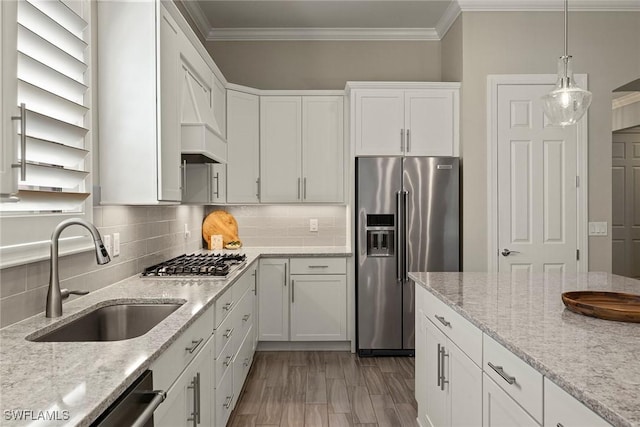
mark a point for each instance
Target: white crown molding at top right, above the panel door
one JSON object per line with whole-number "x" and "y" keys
{"x": 548, "y": 5}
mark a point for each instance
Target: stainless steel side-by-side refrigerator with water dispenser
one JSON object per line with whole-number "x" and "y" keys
{"x": 407, "y": 220}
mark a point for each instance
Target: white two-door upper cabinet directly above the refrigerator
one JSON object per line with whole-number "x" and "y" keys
{"x": 420, "y": 119}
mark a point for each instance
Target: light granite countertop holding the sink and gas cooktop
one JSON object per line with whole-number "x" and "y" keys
{"x": 84, "y": 378}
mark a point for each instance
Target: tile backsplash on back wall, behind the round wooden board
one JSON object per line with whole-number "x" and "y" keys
{"x": 288, "y": 225}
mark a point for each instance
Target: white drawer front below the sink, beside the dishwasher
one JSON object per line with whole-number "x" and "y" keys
{"x": 169, "y": 365}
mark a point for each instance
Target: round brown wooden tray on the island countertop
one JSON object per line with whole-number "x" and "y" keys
{"x": 604, "y": 305}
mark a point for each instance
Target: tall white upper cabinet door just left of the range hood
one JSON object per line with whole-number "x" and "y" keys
{"x": 169, "y": 177}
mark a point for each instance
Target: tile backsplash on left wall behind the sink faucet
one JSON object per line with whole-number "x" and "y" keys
{"x": 148, "y": 235}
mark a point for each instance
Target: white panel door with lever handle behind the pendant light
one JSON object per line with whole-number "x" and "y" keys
{"x": 537, "y": 189}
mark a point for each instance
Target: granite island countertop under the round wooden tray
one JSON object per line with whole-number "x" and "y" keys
{"x": 594, "y": 360}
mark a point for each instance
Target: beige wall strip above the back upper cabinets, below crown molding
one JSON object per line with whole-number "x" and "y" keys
{"x": 324, "y": 64}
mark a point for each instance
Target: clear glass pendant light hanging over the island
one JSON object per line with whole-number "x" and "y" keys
{"x": 567, "y": 102}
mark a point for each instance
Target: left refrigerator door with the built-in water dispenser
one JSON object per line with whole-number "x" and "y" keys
{"x": 379, "y": 290}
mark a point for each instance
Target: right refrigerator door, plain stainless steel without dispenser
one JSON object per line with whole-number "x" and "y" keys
{"x": 432, "y": 223}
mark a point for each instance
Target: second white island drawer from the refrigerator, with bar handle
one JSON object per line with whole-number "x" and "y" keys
{"x": 518, "y": 379}
